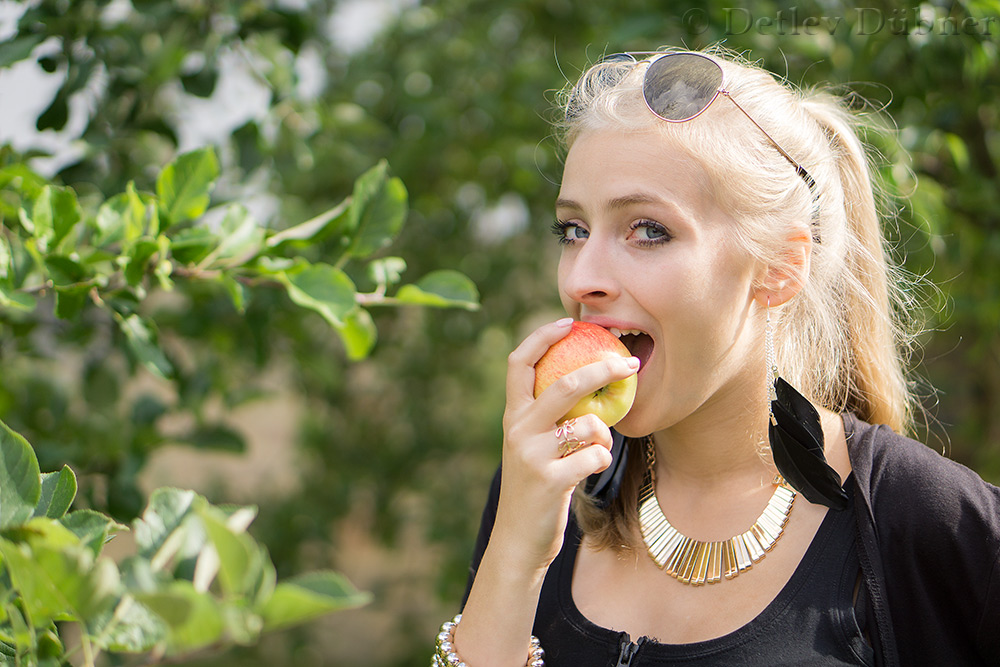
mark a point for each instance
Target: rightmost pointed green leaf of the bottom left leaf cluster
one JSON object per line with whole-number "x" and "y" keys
{"x": 309, "y": 596}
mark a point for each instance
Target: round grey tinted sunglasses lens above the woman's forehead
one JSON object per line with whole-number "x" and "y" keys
{"x": 679, "y": 87}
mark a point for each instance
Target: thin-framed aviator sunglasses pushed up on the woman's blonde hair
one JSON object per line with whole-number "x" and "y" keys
{"x": 679, "y": 87}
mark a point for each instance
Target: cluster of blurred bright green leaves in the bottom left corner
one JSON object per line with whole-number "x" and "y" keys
{"x": 196, "y": 579}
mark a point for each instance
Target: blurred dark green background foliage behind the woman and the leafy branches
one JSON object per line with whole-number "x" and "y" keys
{"x": 456, "y": 95}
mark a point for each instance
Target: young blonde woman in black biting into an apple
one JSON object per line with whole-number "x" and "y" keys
{"x": 728, "y": 226}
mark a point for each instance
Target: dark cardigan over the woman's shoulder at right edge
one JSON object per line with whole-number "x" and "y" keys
{"x": 935, "y": 527}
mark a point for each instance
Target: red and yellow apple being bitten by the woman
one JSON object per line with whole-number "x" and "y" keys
{"x": 587, "y": 343}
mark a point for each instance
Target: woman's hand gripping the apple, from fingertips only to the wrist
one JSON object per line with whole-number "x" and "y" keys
{"x": 537, "y": 482}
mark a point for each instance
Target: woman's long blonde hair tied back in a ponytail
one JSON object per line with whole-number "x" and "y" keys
{"x": 841, "y": 340}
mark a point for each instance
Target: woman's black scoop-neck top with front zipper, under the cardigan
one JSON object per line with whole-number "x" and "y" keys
{"x": 810, "y": 622}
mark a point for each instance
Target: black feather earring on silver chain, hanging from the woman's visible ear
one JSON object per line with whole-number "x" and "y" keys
{"x": 796, "y": 437}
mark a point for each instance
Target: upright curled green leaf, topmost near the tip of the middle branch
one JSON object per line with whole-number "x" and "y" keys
{"x": 378, "y": 211}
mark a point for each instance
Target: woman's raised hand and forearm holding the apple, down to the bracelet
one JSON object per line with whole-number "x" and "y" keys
{"x": 535, "y": 490}
